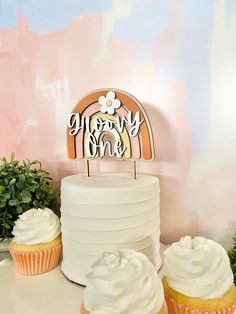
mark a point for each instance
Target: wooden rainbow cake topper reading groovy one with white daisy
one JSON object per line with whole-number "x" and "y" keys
{"x": 109, "y": 122}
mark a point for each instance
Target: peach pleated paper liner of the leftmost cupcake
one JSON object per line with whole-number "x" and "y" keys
{"x": 35, "y": 263}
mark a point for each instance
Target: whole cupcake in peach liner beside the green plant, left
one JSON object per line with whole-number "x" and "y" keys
{"x": 36, "y": 246}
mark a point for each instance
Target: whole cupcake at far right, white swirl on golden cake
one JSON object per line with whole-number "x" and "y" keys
{"x": 198, "y": 278}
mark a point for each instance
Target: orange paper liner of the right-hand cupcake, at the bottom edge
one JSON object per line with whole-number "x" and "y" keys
{"x": 175, "y": 308}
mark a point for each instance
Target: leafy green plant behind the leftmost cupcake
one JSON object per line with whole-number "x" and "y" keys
{"x": 22, "y": 186}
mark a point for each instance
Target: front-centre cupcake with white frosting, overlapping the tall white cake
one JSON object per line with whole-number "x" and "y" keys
{"x": 123, "y": 283}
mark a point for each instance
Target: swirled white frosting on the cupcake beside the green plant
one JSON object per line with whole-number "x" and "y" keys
{"x": 36, "y": 226}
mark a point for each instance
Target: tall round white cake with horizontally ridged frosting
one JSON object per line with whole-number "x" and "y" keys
{"x": 108, "y": 212}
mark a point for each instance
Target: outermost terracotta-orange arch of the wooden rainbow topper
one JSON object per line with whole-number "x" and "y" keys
{"x": 131, "y": 104}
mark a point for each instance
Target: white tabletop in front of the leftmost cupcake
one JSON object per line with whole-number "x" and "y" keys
{"x": 50, "y": 293}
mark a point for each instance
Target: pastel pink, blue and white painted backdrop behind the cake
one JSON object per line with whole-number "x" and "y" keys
{"x": 177, "y": 57}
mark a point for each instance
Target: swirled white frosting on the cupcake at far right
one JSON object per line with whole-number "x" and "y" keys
{"x": 198, "y": 267}
